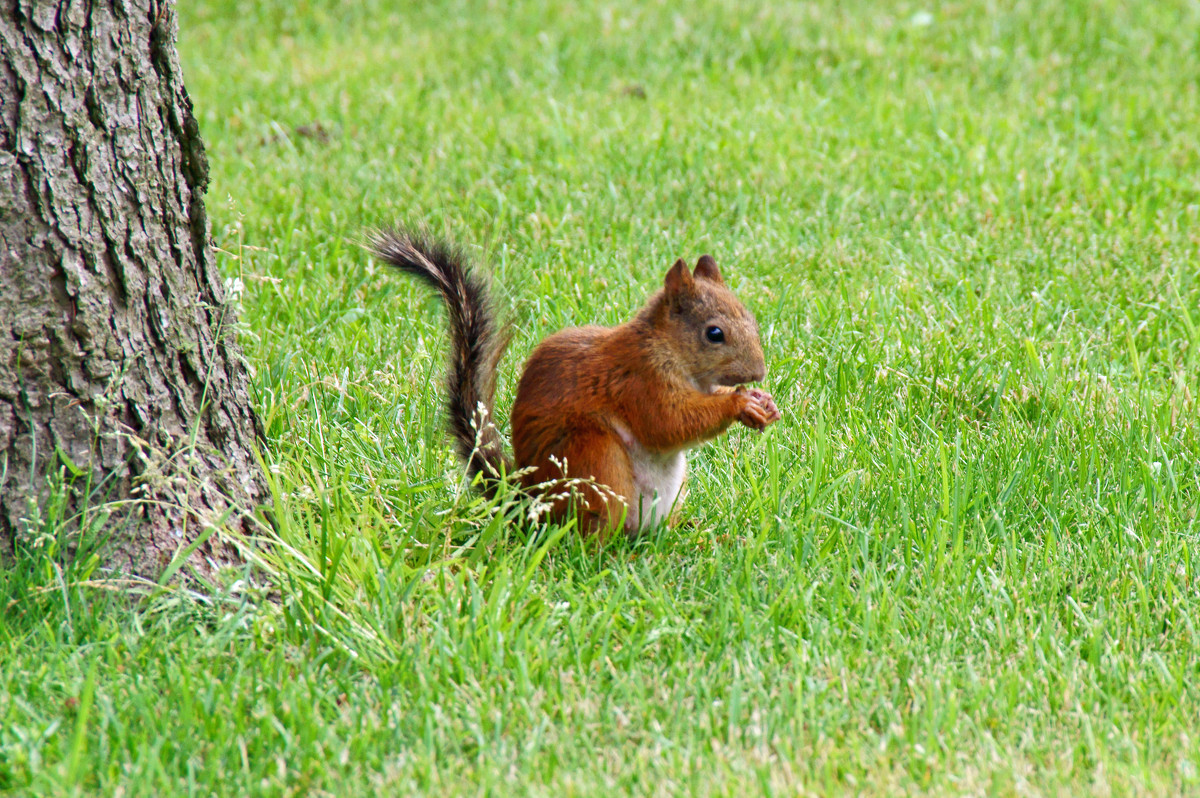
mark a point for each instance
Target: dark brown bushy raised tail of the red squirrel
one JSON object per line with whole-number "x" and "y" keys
{"x": 476, "y": 344}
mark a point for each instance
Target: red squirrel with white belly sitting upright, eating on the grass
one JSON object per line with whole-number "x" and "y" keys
{"x": 605, "y": 413}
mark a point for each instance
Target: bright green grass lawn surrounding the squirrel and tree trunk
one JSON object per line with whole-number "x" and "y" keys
{"x": 963, "y": 563}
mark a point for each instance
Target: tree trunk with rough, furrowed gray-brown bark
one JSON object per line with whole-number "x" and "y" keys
{"x": 118, "y": 361}
